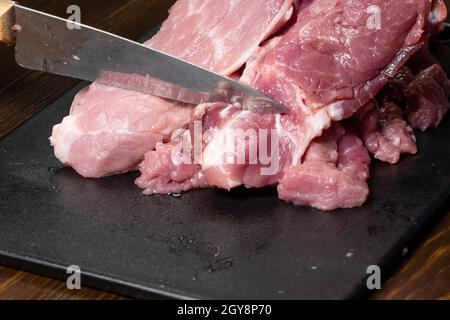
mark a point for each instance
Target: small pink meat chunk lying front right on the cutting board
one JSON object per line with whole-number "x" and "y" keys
{"x": 333, "y": 174}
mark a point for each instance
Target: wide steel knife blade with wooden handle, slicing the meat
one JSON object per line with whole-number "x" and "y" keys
{"x": 51, "y": 44}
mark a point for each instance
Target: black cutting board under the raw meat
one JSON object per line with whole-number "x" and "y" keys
{"x": 207, "y": 243}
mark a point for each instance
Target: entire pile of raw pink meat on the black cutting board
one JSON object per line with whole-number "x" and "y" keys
{"x": 328, "y": 60}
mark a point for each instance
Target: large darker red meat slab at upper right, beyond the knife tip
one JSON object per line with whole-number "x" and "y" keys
{"x": 328, "y": 58}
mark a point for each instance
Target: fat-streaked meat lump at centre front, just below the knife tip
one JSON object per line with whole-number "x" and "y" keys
{"x": 235, "y": 146}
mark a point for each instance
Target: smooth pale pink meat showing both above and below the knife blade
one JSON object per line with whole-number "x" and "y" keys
{"x": 109, "y": 130}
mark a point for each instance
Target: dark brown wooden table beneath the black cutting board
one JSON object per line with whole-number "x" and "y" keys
{"x": 425, "y": 274}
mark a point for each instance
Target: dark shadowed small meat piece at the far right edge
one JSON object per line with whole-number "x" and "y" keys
{"x": 428, "y": 98}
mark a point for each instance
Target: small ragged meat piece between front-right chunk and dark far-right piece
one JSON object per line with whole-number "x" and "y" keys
{"x": 385, "y": 133}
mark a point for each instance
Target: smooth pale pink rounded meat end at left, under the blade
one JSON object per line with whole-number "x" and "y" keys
{"x": 109, "y": 129}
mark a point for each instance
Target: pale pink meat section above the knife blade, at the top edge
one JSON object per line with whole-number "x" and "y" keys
{"x": 220, "y": 35}
